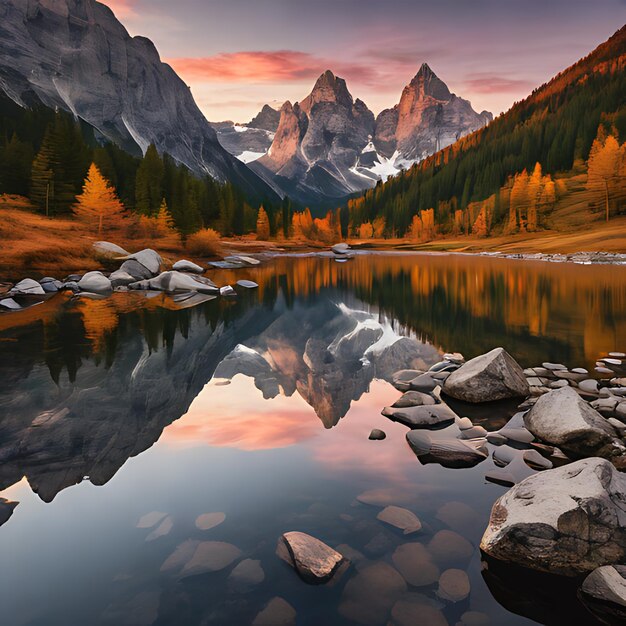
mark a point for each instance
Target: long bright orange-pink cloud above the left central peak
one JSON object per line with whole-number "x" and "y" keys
{"x": 267, "y": 66}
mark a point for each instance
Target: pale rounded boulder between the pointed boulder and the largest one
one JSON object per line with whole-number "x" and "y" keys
{"x": 562, "y": 418}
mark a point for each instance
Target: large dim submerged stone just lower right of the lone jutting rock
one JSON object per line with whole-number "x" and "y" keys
{"x": 369, "y": 596}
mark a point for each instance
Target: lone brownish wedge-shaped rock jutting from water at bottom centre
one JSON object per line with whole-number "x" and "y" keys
{"x": 313, "y": 559}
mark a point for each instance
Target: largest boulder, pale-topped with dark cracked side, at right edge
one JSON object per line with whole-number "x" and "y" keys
{"x": 566, "y": 521}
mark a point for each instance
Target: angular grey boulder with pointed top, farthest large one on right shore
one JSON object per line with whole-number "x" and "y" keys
{"x": 492, "y": 376}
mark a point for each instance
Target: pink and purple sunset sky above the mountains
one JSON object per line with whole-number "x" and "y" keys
{"x": 240, "y": 54}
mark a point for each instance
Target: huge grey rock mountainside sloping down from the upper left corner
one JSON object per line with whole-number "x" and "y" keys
{"x": 76, "y": 56}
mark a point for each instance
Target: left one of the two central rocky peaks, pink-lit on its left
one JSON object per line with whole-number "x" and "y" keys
{"x": 318, "y": 143}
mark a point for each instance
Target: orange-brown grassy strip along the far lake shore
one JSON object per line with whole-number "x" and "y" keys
{"x": 32, "y": 243}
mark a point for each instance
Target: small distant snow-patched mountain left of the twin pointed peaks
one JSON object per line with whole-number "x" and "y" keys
{"x": 250, "y": 141}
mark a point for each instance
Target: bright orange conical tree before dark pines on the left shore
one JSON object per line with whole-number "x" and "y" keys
{"x": 98, "y": 204}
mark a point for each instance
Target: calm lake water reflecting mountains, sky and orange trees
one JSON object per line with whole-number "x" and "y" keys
{"x": 260, "y": 408}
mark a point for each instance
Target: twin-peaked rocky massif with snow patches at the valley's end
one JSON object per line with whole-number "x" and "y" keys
{"x": 329, "y": 146}
